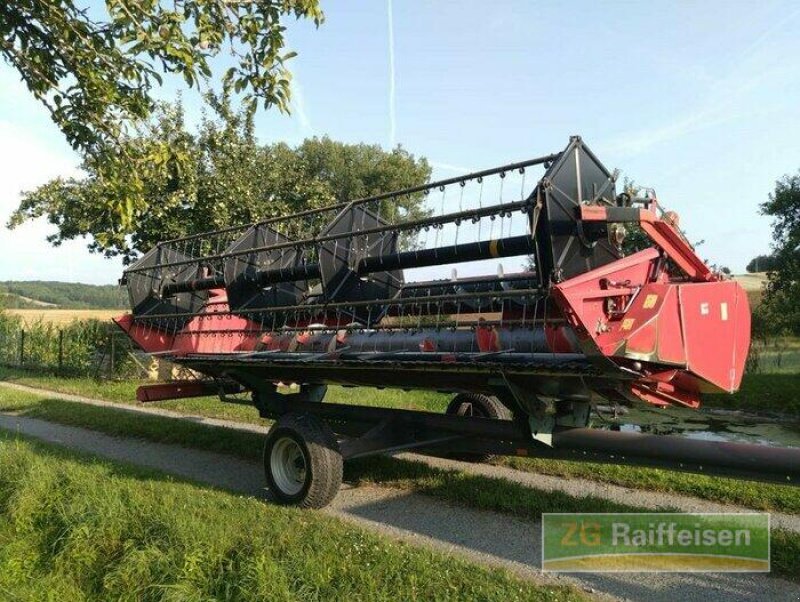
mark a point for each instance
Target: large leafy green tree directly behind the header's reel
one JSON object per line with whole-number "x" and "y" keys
{"x": 228, "y": 178}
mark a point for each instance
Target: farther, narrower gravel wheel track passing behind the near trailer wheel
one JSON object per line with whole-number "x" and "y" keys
{"x": 573, "y": 486}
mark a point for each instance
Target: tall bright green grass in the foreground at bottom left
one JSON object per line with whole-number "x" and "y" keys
{"x": 75, "y": 528}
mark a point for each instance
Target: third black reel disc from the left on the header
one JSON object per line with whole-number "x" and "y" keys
{"x": 339, "y": 259}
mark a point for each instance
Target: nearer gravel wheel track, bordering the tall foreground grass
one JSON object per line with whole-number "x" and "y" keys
{"x": 481, "y": 536}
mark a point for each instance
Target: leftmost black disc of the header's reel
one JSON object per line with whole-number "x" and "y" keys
{"x": 147, "y": 278}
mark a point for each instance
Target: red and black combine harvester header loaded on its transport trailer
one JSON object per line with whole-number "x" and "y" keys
{"x": 343, "y": 295}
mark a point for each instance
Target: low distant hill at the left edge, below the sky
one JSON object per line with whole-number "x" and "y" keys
{"x": 37, "y": 294}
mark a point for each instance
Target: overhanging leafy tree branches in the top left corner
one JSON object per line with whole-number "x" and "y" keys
{"x": 95, "y": 70}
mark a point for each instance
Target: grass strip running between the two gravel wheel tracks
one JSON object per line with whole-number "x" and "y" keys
{"x": 456, "y": 487}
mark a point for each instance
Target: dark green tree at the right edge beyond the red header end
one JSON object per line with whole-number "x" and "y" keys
{"x": 782, "y": 298}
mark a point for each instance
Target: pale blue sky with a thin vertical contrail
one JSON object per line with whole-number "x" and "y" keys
{"x": 699, "y": 100}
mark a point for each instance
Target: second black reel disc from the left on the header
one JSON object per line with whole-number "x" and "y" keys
{"x": 245, "y": 290}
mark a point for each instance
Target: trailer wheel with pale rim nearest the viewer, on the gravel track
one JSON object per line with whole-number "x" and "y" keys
{"x": 302, "y": 461}
